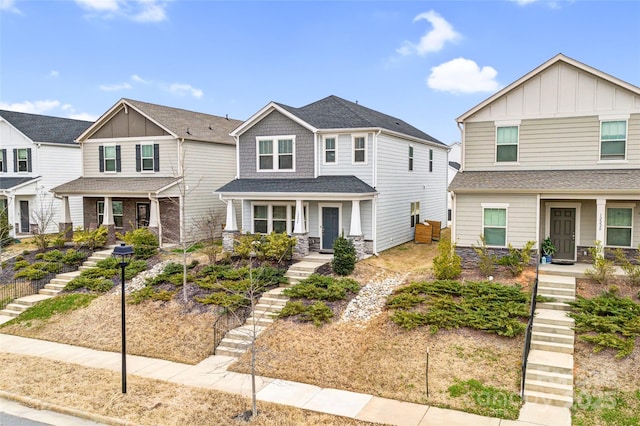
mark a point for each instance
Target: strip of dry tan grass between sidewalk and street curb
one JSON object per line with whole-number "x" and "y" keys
{"x": 147, "y": 401}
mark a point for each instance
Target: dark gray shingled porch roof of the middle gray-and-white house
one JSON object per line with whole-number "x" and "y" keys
{"x": 321, "y": 184}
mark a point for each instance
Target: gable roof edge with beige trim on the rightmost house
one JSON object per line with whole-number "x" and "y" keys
{"x": 551, "y": 62}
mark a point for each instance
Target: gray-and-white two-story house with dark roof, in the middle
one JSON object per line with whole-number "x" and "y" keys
{"x": 335, "y": 167}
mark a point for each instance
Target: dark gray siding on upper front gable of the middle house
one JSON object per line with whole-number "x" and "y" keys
{"x": 276, "y": 124}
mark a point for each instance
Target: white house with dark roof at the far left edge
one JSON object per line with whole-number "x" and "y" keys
{"x": 37, "y": 152}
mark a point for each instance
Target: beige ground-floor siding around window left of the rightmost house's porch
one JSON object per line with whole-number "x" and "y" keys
{"x": 522, "y": 225}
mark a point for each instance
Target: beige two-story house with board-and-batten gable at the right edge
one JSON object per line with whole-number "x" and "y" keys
{"x": 554, "y": 154}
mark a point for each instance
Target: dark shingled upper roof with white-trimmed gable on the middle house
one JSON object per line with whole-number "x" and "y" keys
{"x": 335, "y": 113}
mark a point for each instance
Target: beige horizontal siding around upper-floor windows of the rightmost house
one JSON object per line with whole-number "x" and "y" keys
{"x": 547, "y": 144}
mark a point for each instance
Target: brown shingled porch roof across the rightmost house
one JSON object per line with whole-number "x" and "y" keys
{"x": 548, "y": 181}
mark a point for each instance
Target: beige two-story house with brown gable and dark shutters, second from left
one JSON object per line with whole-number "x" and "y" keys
{"x": 146, "y": 165}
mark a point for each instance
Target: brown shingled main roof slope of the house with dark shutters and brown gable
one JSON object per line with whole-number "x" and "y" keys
{"x": 201, "y": 127}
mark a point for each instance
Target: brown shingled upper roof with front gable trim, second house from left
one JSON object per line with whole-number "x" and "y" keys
{"x": 180, "y": 123}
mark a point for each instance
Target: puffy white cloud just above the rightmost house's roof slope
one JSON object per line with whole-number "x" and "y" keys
{"x": 463, "y": 76}
